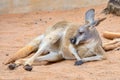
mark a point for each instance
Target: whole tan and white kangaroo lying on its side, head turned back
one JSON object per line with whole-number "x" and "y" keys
{"x": 63, "y": 40}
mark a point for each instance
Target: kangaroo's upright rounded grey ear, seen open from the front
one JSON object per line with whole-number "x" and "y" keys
{"x": 89, "y": 16}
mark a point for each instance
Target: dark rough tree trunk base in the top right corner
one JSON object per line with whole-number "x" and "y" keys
{"x": 113, "y": 7}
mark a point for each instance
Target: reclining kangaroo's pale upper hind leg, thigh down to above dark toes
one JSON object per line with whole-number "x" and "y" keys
{"x": 46, "y": 45}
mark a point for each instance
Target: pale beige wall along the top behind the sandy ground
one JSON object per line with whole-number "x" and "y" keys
{"x": 23, "y": 6}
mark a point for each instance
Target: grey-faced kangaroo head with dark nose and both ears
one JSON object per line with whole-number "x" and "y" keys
{"x": 87, "y": 31}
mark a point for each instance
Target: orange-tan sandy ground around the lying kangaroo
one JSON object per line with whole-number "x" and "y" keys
{"x": 16, "y": 30}
